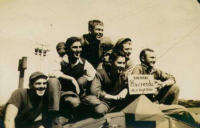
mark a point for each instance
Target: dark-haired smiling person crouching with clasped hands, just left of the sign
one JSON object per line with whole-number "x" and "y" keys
{"x": 109, "y": 86}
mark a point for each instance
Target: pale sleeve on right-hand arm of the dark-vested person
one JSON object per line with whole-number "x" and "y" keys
{"x": 89, "y": 71}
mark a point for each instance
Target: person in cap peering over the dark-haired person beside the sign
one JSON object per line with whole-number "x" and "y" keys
{"x": 125, "y": 45}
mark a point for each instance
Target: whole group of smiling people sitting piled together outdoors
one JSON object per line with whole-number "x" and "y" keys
{"x": 92, "y": 80}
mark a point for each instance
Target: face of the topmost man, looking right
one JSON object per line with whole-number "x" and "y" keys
{"x": 98, "y": 31}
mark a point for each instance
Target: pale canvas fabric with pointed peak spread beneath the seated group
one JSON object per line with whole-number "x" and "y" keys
{"x": 141, "y": 113}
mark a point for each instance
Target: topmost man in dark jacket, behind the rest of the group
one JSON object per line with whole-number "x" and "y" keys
{"x": 95, "y": 45}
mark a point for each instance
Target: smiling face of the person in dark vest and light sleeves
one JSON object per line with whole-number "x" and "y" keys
{"x": 75, "y": 50}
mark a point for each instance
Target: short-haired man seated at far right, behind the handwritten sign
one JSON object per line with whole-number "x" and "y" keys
{"x": 168, "y": 91}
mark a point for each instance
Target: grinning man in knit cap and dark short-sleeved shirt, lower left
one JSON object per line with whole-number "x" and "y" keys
{"x": 25, "y": 106}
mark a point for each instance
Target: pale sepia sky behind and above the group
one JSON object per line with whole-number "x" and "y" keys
{"x": 169, "y": 27}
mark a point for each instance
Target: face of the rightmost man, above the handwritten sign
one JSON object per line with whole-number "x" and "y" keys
{"x": 150, "y": 59}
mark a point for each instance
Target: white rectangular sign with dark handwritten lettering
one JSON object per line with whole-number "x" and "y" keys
{"x": 141, "y": 84}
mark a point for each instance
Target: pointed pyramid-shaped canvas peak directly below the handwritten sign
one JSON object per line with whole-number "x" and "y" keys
{"x": 144, "y": 110}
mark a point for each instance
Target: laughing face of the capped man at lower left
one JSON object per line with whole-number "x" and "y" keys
{"x": 40, "y": 86}
